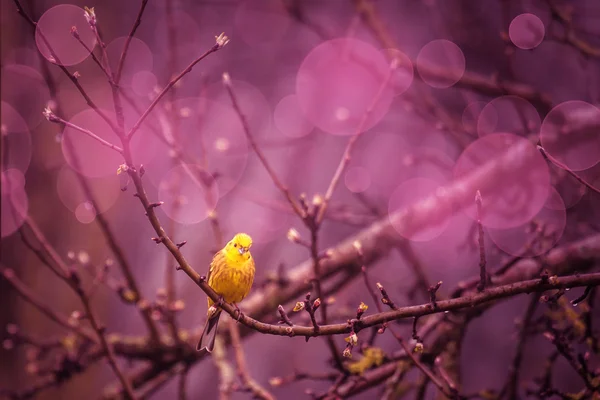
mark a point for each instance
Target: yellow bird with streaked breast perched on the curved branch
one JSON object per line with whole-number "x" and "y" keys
{"x": 231, "y": 275}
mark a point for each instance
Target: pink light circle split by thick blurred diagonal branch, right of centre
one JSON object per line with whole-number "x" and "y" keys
{"x": 409, "y": 193}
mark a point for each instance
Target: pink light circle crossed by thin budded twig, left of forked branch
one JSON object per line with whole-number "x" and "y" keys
{"x": 85, "y": 154}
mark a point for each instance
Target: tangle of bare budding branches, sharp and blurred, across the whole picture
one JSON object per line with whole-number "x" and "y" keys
{"x": 427, "y": 336}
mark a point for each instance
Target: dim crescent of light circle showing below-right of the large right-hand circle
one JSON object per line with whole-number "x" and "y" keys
{"x": 535, "y": 237}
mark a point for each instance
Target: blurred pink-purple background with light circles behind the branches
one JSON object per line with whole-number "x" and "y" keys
{"x": 470, "y": 78}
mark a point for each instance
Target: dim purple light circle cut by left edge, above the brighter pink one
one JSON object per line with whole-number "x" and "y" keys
{"x": 16, "y": 139}
